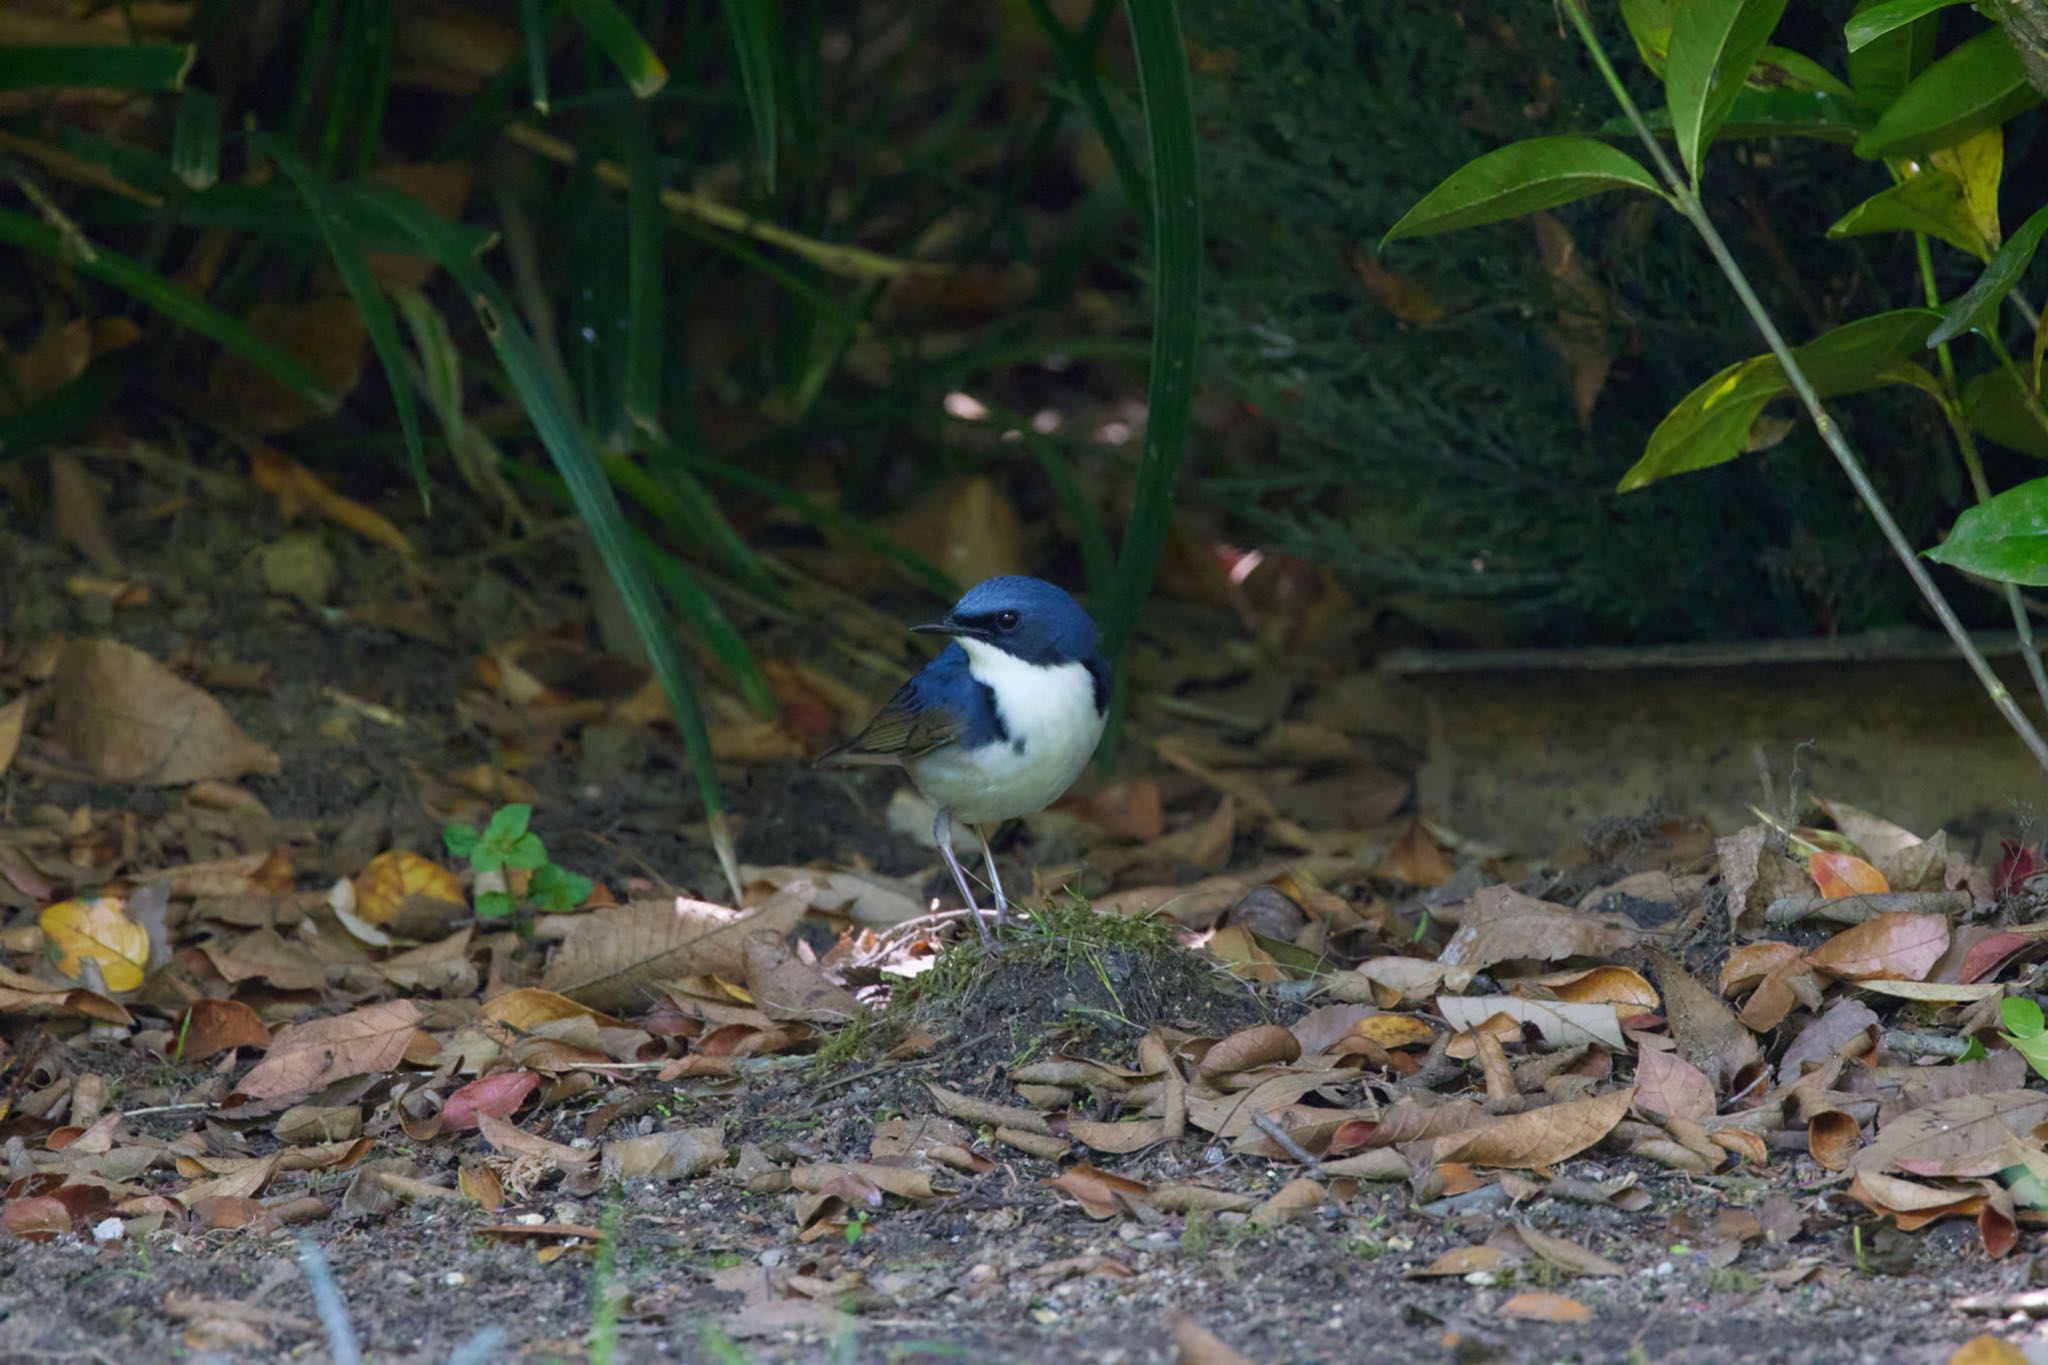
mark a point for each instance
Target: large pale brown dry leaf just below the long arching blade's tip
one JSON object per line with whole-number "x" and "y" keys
{"x": 617, "y": 957}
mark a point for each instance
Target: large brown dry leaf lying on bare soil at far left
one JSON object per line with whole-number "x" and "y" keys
{"x": 130, "y": 719}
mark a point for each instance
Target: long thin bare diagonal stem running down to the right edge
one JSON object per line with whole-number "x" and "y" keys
{"x": 1689, "y": 204}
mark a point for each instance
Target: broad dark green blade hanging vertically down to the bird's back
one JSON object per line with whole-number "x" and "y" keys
{"x": 1177, "y": 294}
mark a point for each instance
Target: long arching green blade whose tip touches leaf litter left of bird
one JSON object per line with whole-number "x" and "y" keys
{"x": 577, "y": 461}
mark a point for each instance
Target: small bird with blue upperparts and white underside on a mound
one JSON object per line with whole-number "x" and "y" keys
{"x": 1002, "y": 721}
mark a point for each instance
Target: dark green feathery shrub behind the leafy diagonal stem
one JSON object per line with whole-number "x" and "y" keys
{"x": 1445, "y": 461}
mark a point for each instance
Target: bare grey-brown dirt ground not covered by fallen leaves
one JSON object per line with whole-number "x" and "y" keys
{"x": 1002, "y": 1268}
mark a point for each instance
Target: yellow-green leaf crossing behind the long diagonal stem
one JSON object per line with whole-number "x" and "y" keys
{"x": 1711, "y": 425}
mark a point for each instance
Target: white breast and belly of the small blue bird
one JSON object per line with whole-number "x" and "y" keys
{"x": 1050, "y": 713}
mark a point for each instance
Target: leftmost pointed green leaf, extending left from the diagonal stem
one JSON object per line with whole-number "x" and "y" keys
{"x": 1525, "y": 177}
